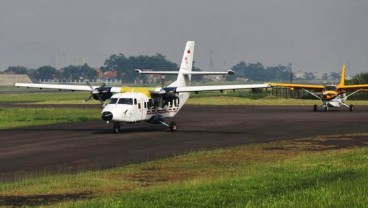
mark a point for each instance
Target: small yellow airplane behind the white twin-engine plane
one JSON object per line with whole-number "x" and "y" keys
{"x": 331, "y": 95}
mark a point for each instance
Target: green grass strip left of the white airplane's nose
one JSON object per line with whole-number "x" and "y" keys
{"x": 21, "y": 117}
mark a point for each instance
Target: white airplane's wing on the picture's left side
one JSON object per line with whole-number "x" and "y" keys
{"x": 65, "y": 87}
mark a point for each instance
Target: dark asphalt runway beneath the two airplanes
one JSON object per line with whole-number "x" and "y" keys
{"x": 92, "y": 145}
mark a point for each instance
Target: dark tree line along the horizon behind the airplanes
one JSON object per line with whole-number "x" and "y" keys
{"x": 125, "y": 70}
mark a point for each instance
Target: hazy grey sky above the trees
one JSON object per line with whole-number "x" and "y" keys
{"x": 313, "y": 35}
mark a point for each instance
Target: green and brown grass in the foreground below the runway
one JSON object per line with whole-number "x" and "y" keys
{"x": 276, "y": 174}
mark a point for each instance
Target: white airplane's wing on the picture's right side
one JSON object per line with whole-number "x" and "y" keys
{"x": 219, "y": 87}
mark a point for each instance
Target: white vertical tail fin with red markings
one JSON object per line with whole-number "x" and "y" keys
{"x": 185, "y": 67}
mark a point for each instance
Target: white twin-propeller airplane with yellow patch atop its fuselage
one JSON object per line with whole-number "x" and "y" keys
{"x": 154, "y": 105}
